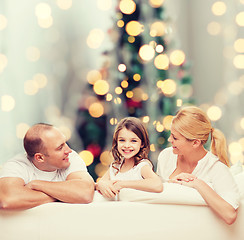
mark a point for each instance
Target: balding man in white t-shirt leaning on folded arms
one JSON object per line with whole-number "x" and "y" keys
{"x": 49, "y": 171}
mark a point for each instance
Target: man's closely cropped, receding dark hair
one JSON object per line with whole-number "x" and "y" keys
{"x": 32, "y": 141}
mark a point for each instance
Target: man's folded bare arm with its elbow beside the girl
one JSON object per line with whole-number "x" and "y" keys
{"x": 78, "y": 188}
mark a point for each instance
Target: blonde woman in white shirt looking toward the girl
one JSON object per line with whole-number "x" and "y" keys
{"x": 188, "y": 163}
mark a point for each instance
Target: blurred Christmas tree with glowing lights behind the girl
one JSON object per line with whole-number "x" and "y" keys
{"x": 144, "y": 76}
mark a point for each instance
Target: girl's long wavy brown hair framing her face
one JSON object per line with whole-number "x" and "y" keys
{"x": 135, "y": 125}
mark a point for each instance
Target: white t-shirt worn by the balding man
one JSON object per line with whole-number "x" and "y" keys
{"x": 20, "y": 166}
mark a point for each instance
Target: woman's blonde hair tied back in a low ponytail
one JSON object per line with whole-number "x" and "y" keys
{"x": 193, "y": 123}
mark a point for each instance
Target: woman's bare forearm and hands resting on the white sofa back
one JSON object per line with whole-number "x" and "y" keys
{"x": 223, "y": 209}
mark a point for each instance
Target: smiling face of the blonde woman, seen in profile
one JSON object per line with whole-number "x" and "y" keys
{"x": 179, "y": 143}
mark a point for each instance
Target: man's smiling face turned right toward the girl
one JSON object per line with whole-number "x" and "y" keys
{"x": 57, "y": 151}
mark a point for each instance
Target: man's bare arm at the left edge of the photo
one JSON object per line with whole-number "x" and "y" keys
{"x": 15, "y": 195}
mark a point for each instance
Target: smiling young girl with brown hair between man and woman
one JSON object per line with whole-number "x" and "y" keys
{"x": 131, "y": 167}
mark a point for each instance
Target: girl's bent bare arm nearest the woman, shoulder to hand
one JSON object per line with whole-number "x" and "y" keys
{"x": 150, "y": 182}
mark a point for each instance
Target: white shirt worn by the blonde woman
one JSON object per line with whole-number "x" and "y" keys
{"x": 209, "y": 168}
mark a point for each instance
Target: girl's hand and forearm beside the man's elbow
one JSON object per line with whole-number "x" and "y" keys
{"x": 105, "y": 186}
